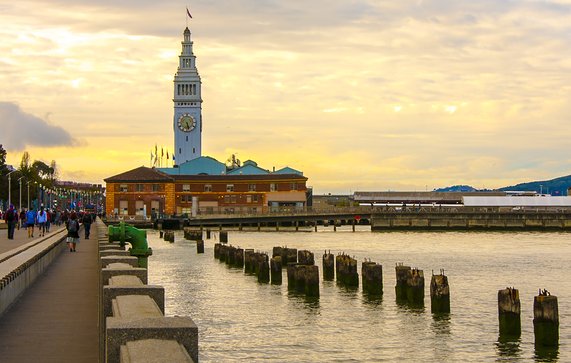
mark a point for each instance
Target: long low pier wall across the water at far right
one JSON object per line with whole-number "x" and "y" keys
{"x": 467, "y": 220}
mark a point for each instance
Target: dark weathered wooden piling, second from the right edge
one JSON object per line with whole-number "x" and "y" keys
{"x": 509, "y": 312}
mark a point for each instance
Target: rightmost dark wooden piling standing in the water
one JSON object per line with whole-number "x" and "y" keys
{"x": 546, "y": 319}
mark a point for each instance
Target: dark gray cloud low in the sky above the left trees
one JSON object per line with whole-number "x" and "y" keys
{"x": 20, "y": 129}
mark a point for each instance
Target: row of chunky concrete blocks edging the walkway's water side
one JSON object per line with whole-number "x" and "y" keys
{"x": 134, "y": 328}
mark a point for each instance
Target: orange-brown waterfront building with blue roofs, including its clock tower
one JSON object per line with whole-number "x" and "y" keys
{"x": 201, "y": 184}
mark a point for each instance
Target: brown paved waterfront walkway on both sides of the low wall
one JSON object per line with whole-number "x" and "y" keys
{"x": 56, "y": 320}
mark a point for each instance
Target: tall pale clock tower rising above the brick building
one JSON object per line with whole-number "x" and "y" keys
{"x": 187, "y": 105}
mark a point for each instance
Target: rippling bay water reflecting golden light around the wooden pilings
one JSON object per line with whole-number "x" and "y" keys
{"x": 240, "y": 320}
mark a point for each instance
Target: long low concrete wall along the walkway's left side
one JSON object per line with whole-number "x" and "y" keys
{"x": 20, "y": 267}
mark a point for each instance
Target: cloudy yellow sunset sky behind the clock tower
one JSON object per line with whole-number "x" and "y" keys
{"x": 359, "y": 95}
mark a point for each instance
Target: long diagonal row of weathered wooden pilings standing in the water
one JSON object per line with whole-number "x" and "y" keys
{"x": 303, "y": 277}
